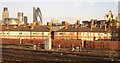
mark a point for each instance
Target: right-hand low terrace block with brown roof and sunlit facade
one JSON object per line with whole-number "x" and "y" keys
{"x": 81, "y": 33}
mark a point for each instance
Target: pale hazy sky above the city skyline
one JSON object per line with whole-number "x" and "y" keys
{"x": 69, "y": 10}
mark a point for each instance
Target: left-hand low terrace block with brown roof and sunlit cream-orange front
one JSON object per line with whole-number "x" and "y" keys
{"x": 25, "y": 32}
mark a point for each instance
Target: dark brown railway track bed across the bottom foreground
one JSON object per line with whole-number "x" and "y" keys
{"x": 11, "y": 54}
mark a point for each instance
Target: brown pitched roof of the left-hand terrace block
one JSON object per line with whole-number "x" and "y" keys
{"x": 36, "y": 28}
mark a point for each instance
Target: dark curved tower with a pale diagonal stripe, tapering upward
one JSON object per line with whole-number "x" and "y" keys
{"x": 37, "y": 15}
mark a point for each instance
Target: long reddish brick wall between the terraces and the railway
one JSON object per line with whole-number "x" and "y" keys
{"x": 110, "y": 45}
